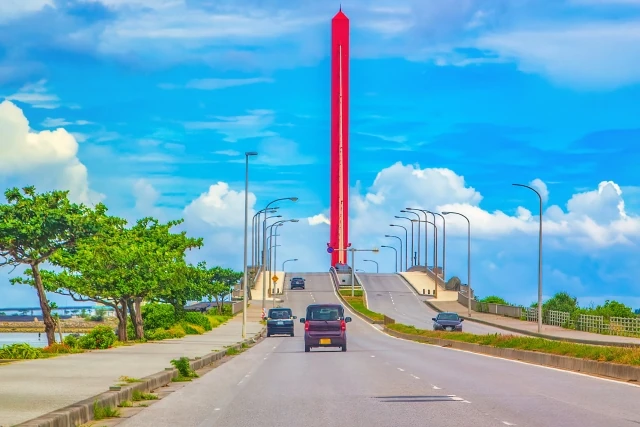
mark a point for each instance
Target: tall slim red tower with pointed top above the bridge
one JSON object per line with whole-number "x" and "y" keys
{"x": 339, "y": 227}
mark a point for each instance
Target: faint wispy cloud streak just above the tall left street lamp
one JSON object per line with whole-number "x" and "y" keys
{"x": 252, "y": 125}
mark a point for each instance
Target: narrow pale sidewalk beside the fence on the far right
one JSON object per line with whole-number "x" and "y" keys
{"x": 531, "y": 328}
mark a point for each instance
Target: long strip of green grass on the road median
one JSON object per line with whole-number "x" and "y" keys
{"x": 620, "y": 355}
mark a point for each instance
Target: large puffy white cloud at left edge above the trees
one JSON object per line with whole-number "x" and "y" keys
{"x": 46, "y": 158}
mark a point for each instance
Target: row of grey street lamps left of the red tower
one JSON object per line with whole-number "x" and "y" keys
{"x": 259, "y": 251}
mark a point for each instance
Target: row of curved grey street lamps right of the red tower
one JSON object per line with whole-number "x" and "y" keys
{"x": 442, "y": 215}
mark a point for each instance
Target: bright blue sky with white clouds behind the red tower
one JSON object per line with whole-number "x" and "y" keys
{"x": 148, "y": 106}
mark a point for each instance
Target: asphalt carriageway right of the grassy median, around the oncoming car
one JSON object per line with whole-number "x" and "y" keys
{"x": 389, "y": 294}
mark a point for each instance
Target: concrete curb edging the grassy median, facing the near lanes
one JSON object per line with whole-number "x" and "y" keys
{"x": 591, "y": 367}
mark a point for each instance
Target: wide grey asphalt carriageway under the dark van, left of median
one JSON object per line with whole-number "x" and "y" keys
{"x": 382, "y": 382}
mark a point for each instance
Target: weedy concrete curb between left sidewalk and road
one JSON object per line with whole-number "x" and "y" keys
{"x": 82, "y": 412}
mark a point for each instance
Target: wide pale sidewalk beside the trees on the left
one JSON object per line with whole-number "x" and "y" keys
{"x": 29, "y": 389}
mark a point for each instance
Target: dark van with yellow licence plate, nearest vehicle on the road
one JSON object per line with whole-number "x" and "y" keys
{"x": 325, "y": 326}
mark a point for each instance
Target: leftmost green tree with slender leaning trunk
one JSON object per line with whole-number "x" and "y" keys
{"x": 34, "y": 227}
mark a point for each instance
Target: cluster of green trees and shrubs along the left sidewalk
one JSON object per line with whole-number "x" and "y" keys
{"x": 103, "y": 259}
